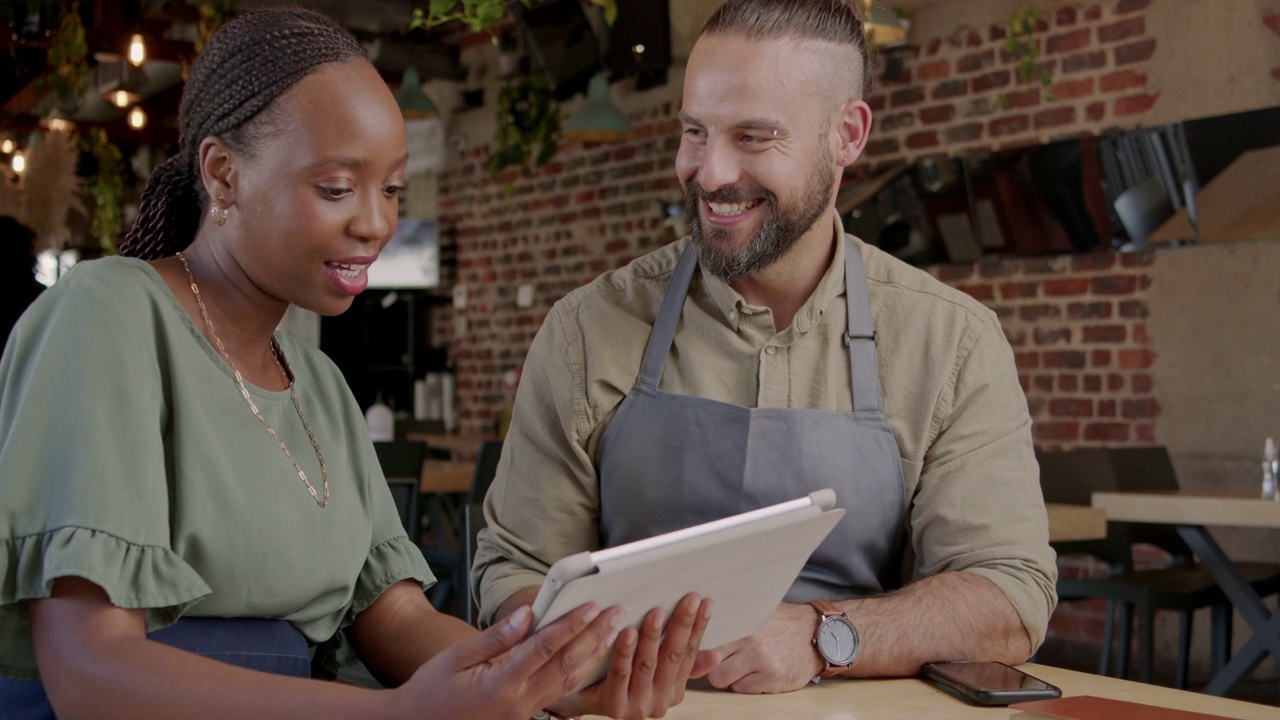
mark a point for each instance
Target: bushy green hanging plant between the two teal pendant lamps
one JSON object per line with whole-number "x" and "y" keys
{"x": 528, "y": 122}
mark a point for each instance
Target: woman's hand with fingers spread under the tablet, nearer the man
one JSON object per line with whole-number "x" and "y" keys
{"x": 648, "y": 672}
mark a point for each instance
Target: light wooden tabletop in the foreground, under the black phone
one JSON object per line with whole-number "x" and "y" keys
{"x": 912, "y": 699}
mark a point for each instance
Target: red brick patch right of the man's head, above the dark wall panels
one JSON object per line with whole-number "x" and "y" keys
{"x": 963, "y": 92}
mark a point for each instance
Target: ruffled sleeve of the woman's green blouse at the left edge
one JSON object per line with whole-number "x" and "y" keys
{"x": 84, "y": 484}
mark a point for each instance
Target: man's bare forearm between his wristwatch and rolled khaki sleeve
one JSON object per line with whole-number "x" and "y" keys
{"x": 945, "y": 617}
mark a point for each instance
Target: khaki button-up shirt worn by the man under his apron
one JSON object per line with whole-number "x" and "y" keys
{"x": 949, "y": 385}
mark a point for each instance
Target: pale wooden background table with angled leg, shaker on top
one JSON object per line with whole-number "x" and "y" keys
{"x": 1190, "y": 512}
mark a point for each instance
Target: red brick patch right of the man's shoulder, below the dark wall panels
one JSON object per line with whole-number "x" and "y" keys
{"x": 1078, "y": 329}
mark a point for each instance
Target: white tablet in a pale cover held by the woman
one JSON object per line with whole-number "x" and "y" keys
{"x": 744, "y": 563}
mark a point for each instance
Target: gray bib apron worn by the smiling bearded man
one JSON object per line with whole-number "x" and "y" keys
{"x": 670, "y": 462}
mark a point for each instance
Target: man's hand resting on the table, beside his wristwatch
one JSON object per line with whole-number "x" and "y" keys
{"x": 779, "y": 659}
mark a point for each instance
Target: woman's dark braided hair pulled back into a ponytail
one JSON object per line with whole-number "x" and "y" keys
{"x": 245, "y": 69}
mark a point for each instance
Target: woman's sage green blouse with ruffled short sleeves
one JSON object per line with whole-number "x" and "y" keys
{"x": 129, "y": 458}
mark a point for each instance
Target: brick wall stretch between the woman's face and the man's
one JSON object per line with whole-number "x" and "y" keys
{"x": 592, "y": 209}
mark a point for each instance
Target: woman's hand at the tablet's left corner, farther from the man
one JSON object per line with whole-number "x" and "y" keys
{"x": 504, "y": 675}
